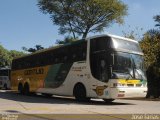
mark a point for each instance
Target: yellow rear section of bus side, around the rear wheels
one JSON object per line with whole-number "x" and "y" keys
{"x": 34, "y": 76}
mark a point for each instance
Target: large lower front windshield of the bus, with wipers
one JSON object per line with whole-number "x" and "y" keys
{"x": 128, "y": 66}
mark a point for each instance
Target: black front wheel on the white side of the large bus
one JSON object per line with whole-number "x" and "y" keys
{"x": 80, "y": 93}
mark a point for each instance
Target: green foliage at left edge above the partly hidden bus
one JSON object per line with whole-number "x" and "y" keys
{"x": 7, "y": 56}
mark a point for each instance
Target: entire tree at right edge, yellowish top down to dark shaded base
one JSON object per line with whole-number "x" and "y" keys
{"x": 150, "y": 45}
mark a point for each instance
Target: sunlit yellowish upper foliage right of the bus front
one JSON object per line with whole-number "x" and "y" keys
{"x": 150, "y": 45}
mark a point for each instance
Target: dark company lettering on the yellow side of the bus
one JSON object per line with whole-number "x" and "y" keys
{"x": 34, "y": 71}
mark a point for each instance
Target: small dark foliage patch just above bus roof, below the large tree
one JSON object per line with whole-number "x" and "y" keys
{"x": 66, "y": 40}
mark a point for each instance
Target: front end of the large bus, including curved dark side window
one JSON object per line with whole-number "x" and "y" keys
{"x": 118, "y": 62}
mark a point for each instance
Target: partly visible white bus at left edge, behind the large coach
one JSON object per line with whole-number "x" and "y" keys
{"x": 5, "y": 78}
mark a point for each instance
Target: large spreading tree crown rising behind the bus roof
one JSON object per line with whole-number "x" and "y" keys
{"x": 81, "y": 17}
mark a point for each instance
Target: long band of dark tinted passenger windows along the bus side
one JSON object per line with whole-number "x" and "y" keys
{"x": 64, "y": 54}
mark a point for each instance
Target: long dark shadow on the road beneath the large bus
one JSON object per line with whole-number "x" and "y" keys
{"x": 33, "y": 98}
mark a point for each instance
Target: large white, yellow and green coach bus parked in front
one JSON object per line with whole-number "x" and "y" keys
{"x": 103, "y": 66}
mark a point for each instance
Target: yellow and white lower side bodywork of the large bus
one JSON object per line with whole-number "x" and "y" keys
{"x": 78, "y": 73}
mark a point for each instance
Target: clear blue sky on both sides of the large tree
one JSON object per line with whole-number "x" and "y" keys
{"x": 23, "y": 24}
